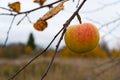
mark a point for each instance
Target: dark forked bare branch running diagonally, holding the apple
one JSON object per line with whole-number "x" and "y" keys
{"x": 57, "y": 46}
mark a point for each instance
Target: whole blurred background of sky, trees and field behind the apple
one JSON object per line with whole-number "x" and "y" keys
{"x": 24, "y": 42}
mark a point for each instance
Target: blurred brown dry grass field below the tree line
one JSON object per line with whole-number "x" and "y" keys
{"x": 62, "y": 69}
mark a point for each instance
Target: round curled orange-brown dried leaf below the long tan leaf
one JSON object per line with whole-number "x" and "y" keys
{"x": 40, "y": 24}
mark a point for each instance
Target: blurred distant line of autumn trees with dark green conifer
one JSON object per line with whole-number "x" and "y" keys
{"x": 18, "y": 50}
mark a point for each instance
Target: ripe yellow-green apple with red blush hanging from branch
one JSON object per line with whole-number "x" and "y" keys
{"x": 82, "y": 37}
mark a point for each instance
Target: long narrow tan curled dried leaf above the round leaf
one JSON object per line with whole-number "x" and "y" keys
{"x": 54, "y": 10}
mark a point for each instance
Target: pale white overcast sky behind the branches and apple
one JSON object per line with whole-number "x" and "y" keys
{"x": 99, "y": 12}
